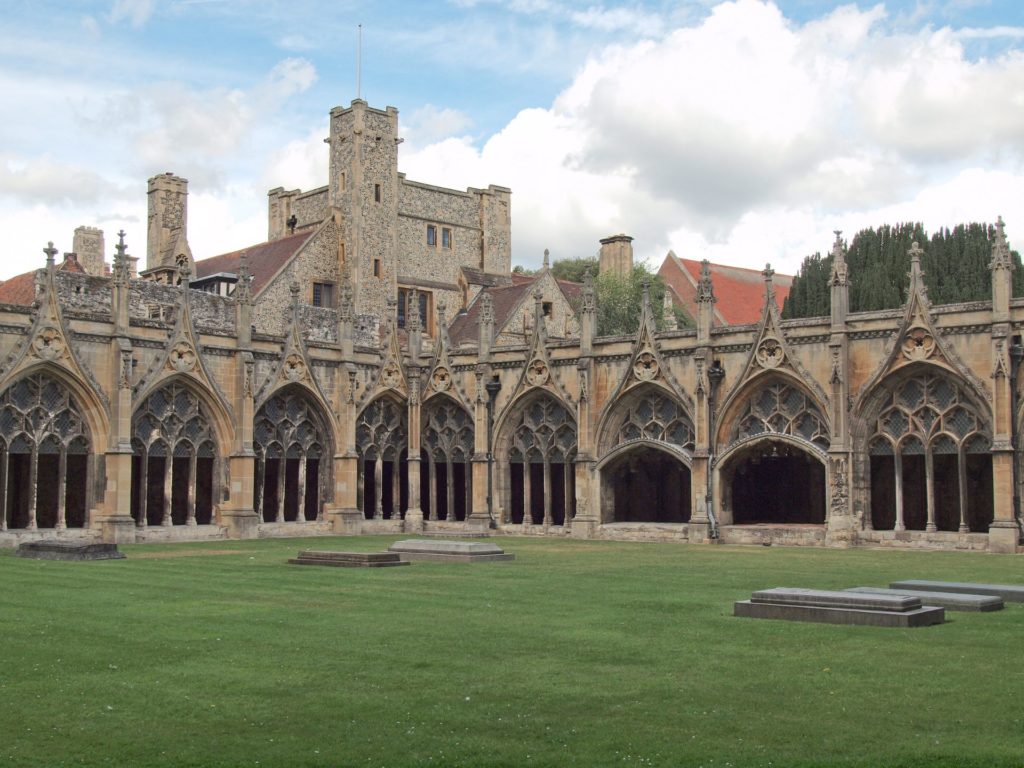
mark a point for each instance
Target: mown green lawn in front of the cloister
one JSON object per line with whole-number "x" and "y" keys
{"x": 576, "y": 654}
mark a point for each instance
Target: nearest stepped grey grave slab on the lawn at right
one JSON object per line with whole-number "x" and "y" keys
{"x": 828, "y": 607}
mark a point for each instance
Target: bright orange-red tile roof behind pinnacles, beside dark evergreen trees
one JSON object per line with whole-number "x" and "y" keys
{"x": 741, "y": 292}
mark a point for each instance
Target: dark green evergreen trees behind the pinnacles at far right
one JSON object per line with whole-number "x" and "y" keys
{"x": 955, "y": 263}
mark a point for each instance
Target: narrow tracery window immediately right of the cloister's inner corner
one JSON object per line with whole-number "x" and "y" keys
{"x": 448, "y": 446}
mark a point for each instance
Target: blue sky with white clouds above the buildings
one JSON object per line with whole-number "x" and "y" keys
{"x": 743, "y": 132}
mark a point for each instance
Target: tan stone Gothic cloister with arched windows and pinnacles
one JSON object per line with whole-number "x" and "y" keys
{"x": 889, "y": 429}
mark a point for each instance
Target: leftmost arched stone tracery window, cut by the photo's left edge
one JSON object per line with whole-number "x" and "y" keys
{"x": 45, "y": 447}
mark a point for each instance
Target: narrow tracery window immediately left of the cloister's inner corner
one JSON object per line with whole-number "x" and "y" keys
{"x": 381, "y": 440}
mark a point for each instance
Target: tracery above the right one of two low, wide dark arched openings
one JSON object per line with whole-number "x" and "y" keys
{"x": 782, "y": 409}
